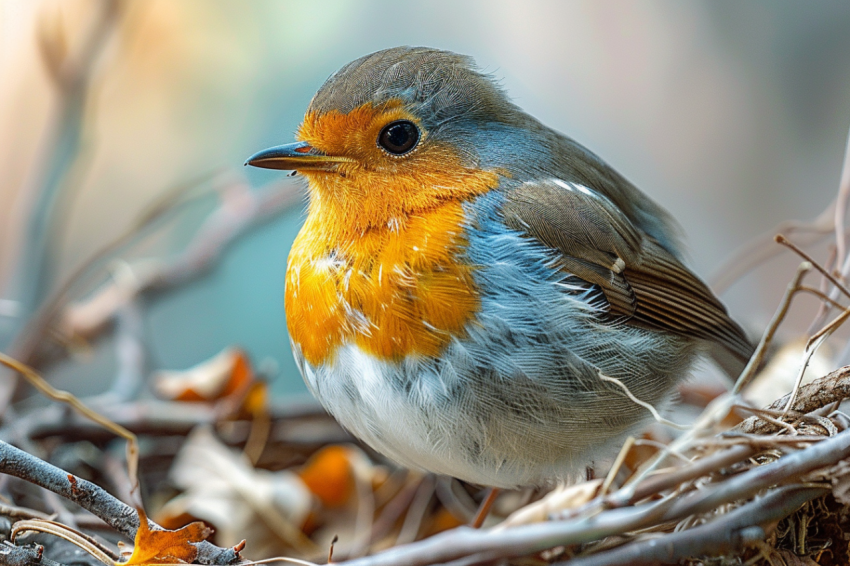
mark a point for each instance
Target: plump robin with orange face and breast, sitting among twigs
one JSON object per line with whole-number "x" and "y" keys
{"x": 473, "y": 293}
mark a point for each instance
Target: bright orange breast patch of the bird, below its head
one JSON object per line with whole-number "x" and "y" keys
{"x": 394, "y": 291}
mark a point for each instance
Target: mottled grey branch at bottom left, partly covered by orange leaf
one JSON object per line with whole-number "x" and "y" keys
{"x": 94, "y": 499}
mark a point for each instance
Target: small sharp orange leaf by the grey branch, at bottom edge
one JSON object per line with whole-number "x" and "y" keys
{"x": 166, "y": 547}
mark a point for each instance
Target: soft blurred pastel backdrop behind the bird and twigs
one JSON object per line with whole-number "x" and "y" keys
{"x": 732, "y": 115}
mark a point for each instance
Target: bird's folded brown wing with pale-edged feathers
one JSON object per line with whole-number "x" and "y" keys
{"x": 641, "y": 280}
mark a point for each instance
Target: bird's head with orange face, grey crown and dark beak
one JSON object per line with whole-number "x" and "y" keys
{"x": 399, "y": 131}
